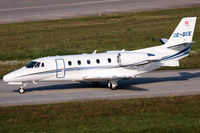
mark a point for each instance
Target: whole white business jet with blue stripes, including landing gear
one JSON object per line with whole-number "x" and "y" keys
{"x": 110, "y": 66}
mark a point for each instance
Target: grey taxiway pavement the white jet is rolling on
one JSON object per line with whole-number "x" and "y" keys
{"x": 153, "y": 84}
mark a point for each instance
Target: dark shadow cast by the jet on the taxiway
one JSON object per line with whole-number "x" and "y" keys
{"x": 124, "y": 84}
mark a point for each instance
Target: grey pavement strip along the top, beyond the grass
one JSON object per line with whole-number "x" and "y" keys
{"x": 31, "y": 10}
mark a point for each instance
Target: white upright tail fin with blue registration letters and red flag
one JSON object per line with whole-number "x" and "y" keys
{"x": 183, "y": 32}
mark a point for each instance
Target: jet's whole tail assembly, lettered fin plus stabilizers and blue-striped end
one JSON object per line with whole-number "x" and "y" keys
{"x": 180, "y": 41}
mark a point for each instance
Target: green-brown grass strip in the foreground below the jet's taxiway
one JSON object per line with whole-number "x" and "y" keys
{"x": 167, "y": 114}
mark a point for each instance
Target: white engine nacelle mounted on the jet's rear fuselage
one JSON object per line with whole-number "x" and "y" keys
{"x": 132, "y": 58}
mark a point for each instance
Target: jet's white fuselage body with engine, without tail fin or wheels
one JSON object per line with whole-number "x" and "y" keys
{"x": 93, "y": 67}
